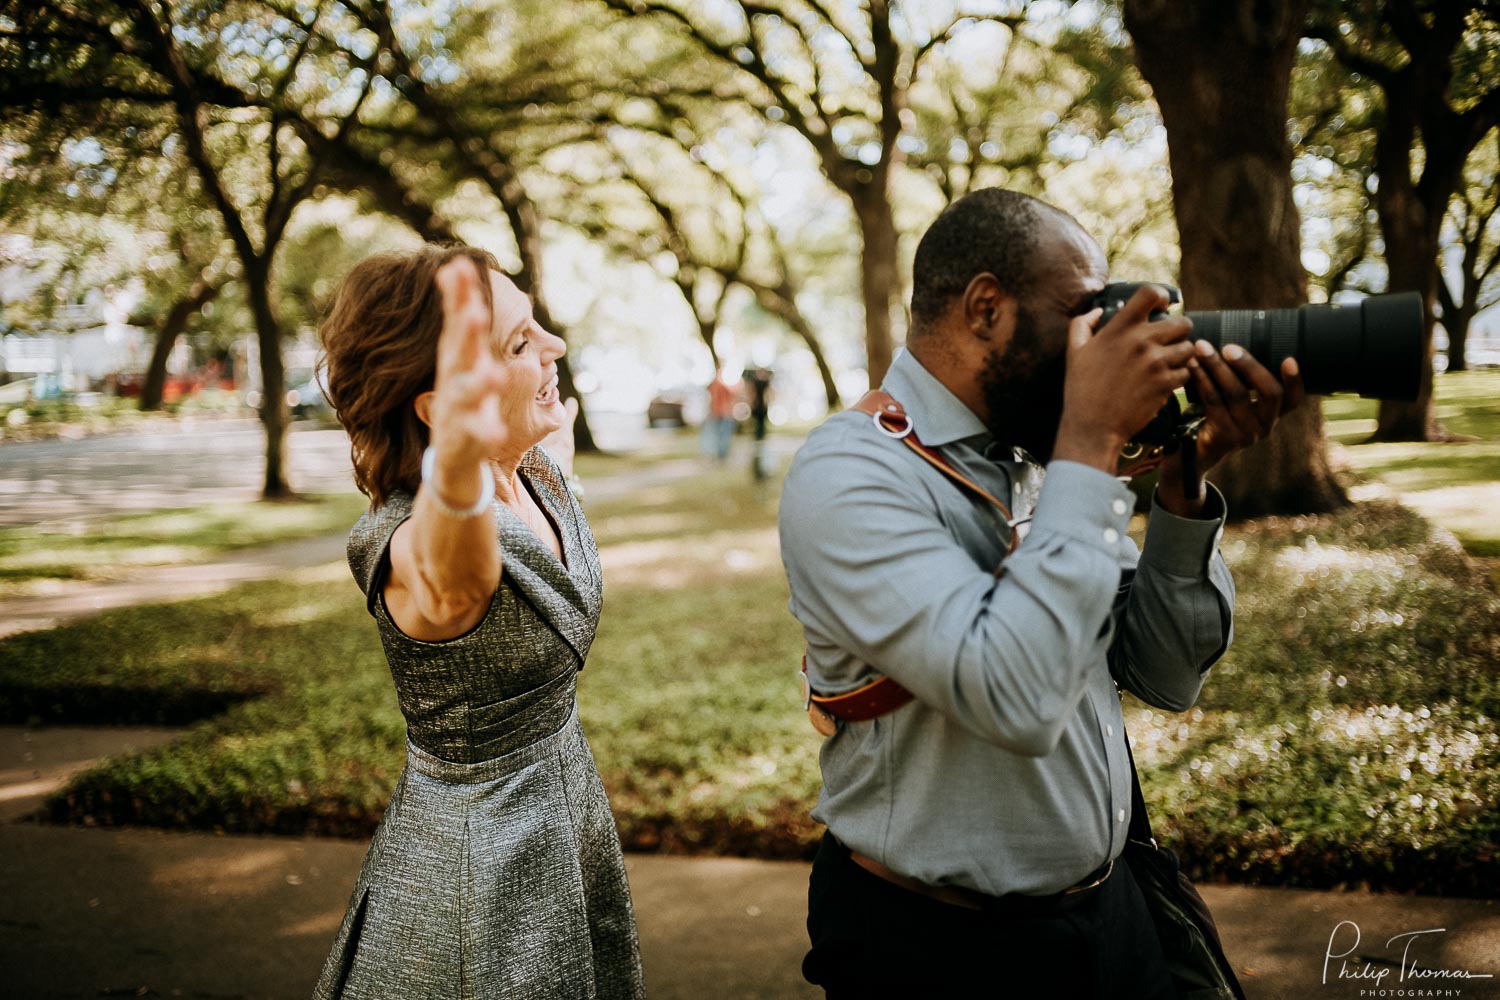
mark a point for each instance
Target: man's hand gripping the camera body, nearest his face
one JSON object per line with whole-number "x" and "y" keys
{"x": 1120, "y": 377}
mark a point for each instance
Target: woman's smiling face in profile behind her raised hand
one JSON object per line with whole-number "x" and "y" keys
{"x": 530, "y": 404}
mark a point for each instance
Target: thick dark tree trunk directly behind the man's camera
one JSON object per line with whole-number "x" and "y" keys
{"x": 1222, "y": 74}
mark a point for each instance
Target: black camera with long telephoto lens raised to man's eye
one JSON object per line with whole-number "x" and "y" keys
{"x": 1373, "y": 347}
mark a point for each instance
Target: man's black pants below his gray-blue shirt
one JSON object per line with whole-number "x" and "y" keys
{"x": 874, "y": 939}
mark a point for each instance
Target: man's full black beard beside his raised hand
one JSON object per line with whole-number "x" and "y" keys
{"x": 1024, "y": 389}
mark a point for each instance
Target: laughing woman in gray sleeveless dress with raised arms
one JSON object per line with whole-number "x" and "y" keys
{"x": 497, "y": 869}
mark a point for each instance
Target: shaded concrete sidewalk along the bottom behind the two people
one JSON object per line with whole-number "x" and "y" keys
{"x": 151, "y": 914}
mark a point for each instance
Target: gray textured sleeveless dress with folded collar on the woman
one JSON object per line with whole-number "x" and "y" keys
{"x": 497, "y": 869}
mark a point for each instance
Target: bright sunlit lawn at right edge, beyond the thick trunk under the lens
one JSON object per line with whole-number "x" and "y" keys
{"x": 1456, "y": 485}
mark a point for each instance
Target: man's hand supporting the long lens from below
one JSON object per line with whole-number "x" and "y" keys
{"x": 1241, "y": 401}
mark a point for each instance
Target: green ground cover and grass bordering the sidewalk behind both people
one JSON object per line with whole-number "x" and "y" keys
{"x": 1349, "y": 735}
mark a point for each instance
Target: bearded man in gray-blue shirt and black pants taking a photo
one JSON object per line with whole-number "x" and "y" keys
{"x": 977, "y": 615}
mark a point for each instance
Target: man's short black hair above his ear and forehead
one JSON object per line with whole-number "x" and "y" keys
{"x": 989, "y": 232}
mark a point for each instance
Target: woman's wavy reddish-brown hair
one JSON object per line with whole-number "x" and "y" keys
{"x": 382, "y": 346}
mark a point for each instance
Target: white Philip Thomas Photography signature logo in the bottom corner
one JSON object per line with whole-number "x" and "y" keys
{"x": 1403, "y": 972}
